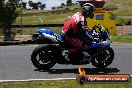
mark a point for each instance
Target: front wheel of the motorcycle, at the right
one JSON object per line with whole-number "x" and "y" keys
{"x": 103, "y": 58}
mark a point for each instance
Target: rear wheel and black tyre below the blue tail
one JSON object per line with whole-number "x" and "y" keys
{"x": 43, "y": 57}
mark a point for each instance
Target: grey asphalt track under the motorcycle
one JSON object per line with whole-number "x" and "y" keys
{"x": 15, "y": 64}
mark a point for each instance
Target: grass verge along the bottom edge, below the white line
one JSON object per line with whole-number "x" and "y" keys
{"x": 60, "y": 84}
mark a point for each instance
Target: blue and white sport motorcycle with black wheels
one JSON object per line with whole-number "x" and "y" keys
{"x": 45, "y": 56}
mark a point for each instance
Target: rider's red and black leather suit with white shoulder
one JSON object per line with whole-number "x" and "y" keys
{"x": 74, "y": 33}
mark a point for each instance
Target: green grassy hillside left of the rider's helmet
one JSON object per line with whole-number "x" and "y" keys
{"x": 34, "y": 17}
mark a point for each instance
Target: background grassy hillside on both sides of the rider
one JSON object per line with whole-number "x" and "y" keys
{"x": 123, "y": 9}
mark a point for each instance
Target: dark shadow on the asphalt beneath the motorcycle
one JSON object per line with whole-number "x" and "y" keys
{"x": 87, "y": 70}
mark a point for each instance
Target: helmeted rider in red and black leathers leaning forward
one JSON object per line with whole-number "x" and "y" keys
{"x": 73, "y": 30}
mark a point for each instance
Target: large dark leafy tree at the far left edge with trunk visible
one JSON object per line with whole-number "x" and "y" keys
{"x": 8, "y": 15}
